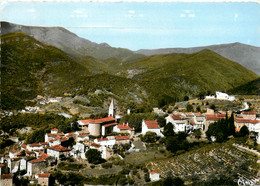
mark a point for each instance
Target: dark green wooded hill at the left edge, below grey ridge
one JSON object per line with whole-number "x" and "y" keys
{"x": 30, "y": 67}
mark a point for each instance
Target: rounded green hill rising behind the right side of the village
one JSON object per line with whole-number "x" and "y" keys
{"x": 180, "y": 74}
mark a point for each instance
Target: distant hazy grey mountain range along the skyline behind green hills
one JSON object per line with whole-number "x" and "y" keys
{"x": 246, "y": 55}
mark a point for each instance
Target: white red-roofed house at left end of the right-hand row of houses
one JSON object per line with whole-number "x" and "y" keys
{"x": 179, "y": 123}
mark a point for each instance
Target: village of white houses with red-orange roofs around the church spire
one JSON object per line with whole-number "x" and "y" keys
{"x": 113, "y": 138}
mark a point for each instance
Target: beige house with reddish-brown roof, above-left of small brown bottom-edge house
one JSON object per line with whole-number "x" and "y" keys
{"x": 36, "y": 166}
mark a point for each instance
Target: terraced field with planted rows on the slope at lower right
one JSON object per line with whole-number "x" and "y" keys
{"x": 210, "y": 162}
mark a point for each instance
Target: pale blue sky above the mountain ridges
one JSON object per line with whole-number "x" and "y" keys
{"x": 145, "y": 25}
